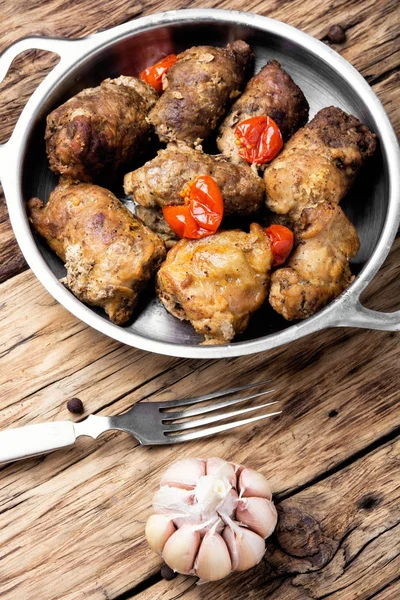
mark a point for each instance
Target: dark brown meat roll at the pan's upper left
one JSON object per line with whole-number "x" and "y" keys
{"x": 91, "y": 135}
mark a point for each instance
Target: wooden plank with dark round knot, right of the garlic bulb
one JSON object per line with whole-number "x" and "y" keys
{"x": 337, "y": 539}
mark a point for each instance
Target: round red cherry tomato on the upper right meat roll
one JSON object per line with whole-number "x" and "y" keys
{"x": 259, "y": 140}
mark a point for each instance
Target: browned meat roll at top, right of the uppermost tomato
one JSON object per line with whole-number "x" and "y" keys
{"x": 199, "y": 87}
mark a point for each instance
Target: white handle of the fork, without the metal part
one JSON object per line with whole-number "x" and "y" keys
{"x": 35, "y": 439}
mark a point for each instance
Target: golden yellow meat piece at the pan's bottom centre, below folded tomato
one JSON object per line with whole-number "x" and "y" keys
{"x": 217, "y": 282}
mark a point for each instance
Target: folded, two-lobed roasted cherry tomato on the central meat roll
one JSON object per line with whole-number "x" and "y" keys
{"x": 202, "y": 211}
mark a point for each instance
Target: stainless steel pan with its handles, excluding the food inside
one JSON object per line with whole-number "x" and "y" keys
{"x": 325, "y": 77}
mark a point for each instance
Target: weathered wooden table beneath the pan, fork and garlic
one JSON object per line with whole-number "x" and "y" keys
{"x": 71, "y": 523}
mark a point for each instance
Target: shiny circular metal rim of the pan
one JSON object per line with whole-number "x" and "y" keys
{"x": 14, "y": 151}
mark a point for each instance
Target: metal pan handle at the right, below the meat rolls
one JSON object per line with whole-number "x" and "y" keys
{"x": 356, "y": 315}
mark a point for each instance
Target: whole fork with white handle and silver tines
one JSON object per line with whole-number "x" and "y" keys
{"x": 150, "y": 423}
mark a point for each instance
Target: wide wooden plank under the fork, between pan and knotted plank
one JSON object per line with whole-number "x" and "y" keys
{"x": 94, "y": 497}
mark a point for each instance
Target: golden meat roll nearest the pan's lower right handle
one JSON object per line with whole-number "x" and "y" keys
{"x": 318, "y": 269}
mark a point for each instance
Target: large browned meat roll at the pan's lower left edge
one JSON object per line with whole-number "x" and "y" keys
{"x": 108, "y": 253}
